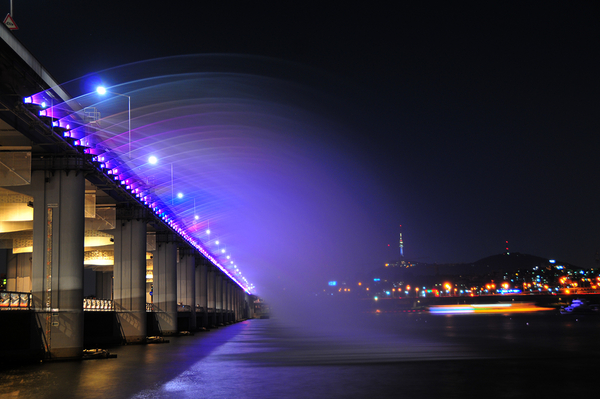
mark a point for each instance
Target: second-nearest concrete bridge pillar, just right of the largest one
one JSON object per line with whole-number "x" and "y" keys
{"x": 130, "y": 278}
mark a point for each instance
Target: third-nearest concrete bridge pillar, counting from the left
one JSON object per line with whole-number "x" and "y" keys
{"x": 165, "y": 286}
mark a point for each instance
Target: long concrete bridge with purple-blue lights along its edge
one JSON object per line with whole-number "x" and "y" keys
{"x": 70, "y": 213}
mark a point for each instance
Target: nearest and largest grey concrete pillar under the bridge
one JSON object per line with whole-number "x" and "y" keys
{"x": 57, "y": 270}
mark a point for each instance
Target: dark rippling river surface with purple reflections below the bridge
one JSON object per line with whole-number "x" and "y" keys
{"x": 374, "y": 356}
